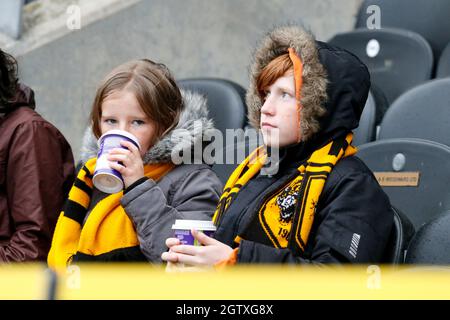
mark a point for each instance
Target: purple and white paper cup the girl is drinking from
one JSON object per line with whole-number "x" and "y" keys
{"x": 105, "y": 178}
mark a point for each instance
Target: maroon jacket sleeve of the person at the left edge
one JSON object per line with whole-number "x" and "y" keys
{"x": 36, "y": 176}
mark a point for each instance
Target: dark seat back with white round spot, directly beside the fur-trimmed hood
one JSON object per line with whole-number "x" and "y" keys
{"x": 397, "y": 59}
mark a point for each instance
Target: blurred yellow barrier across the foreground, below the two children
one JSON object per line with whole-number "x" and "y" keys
{"x": 255, "y": 282}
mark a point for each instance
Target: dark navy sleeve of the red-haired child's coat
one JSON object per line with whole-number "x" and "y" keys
{"x": 353, "y": 222}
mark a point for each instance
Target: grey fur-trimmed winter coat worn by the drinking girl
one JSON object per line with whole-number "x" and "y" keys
{"x": 189, "y": 191}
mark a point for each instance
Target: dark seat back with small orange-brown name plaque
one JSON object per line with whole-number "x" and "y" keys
{"x": 414, "y": 173}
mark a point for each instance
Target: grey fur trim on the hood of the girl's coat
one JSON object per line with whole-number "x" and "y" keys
{"x": 193, "y": 125}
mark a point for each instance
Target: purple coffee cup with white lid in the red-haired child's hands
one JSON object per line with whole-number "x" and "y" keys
{"x": 182, "y": 230}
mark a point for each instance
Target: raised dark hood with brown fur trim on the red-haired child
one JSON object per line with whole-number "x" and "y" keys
{"x": 335, "y": 82}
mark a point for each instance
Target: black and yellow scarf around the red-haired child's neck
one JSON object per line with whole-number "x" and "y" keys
{"x": 307, "y": 187}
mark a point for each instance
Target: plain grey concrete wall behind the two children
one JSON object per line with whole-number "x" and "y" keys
{"x": 63, "y": 58}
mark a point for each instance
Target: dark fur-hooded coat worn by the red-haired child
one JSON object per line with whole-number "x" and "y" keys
{"x": 353, "y": 218}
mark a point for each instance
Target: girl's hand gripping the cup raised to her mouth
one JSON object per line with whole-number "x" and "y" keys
{"x": 131, "y": 166}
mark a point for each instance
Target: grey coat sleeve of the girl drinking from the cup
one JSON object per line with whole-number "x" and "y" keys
{"x": 193, "y": 196}
